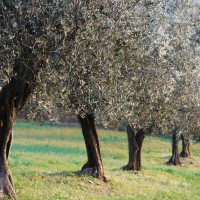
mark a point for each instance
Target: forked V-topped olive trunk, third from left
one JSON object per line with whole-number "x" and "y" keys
{"x": 134, "y": 147}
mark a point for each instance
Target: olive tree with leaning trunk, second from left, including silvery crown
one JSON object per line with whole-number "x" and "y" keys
{"x": 107, "y": 44}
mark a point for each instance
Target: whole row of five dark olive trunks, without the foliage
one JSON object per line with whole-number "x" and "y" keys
{"x": 13, "y": 97}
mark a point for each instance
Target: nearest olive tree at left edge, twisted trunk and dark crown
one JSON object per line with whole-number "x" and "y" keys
{"x": 33, "y": 37}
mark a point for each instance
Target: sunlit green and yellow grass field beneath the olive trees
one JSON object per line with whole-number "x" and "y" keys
{"x": 44, "y": 161}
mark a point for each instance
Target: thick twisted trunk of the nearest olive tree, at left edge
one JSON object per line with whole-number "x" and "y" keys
{"x": 12, "y": 99}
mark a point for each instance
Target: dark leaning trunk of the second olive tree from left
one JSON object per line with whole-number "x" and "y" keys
{"x": 93, "y": 166}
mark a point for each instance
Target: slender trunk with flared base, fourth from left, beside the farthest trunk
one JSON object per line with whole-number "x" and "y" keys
{"x": 174, "y": 160}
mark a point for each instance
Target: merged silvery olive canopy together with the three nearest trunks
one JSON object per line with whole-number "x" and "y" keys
{"x": 133, "y": 62}
